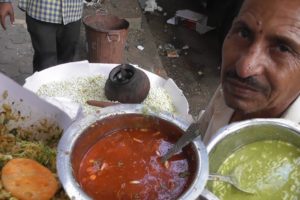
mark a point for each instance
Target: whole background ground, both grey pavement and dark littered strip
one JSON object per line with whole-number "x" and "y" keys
{"x": 195, "y": 71}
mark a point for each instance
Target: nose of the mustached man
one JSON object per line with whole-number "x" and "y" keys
{"x": 251, "y": 62}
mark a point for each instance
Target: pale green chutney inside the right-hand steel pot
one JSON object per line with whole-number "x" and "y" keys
{"x": 269, "y": 168}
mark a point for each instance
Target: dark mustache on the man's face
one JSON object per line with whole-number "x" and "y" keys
{"x": 251, "y": 81}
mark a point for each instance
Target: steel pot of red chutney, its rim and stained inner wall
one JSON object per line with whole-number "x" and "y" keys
{"x": 75, "y": 142}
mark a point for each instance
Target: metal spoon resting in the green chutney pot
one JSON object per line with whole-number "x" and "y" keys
{"x": 230, "y": 179}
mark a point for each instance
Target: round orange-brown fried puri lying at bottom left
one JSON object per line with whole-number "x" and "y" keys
{"x": 26, "y": 179}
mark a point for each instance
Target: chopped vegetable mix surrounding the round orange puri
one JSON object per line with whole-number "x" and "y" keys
{"x": 37, "y": 141}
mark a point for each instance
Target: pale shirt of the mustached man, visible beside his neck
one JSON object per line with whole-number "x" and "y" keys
{"x": 218, "y": 114}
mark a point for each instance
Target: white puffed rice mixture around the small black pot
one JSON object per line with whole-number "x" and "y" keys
{"x": 82, "y": 89}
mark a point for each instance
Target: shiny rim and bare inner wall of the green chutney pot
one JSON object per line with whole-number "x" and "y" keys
{"x": 232, "y": 137}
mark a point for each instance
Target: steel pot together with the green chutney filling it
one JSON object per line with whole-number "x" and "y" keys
{"x": 264, "y": 157}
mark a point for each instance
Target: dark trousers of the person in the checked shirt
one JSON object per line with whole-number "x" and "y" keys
{"x": 52, "y": 43}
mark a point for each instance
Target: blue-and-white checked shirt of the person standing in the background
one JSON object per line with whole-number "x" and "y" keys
{"x": 52, "y": 11}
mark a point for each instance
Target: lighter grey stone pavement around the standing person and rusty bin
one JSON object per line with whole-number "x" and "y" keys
{"x": 16, "y": 50}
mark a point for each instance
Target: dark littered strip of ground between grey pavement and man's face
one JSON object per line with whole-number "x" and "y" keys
{"x": 196, "y": 70}
